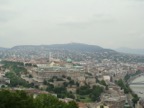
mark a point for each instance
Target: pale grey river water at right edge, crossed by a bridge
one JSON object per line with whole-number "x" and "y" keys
{"x": 138, "y": 88}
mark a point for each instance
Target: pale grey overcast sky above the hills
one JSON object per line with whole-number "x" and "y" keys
{"x": 107, "y": 23}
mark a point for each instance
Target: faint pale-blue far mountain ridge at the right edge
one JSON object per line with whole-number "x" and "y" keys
{"x": 131, "y": 51}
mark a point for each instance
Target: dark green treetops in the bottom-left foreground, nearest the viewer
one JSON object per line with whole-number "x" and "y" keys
{"x": 20, "y": 99}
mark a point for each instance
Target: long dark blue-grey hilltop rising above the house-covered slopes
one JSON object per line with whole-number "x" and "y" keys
{"x": 70, "y": 46}
